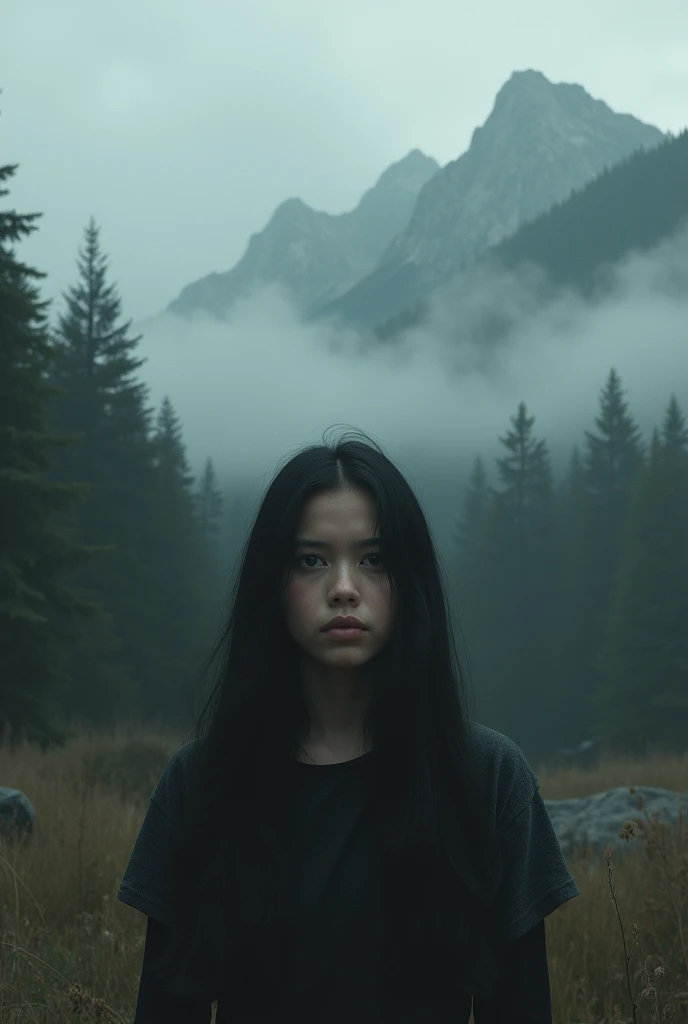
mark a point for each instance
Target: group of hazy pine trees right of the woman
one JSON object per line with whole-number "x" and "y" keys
{"x": 574, "y": 599}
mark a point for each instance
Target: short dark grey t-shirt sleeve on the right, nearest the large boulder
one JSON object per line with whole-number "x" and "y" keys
{"x": 536, "y": 879}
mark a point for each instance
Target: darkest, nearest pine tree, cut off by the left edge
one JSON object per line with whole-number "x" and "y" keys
{"x": 34, "y": 552}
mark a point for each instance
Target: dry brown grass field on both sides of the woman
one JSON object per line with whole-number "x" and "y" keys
{"x": 70, "y": 952}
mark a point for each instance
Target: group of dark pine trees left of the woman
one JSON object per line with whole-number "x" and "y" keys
{"x": 110, "y": 551}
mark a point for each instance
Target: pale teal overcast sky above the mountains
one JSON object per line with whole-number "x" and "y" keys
{"x": 182, "y": 126}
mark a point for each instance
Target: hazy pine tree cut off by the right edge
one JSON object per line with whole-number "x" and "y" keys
{"x": 642, "y": 701}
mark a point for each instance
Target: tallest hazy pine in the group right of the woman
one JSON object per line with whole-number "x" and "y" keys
{"x": 613, "y": 460}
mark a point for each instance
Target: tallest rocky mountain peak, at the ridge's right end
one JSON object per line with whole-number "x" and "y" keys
{"x": 541, "y": 142}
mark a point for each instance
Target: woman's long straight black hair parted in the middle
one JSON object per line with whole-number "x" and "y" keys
{"x": 440, "y": 857}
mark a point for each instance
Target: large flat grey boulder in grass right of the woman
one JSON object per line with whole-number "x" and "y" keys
{"x": 595, "y": 822}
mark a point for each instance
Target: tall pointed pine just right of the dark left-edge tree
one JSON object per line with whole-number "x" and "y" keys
{"x": 104, "y": 404}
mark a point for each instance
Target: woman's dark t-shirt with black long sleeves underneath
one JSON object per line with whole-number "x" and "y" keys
{"x": 336, "y": 912}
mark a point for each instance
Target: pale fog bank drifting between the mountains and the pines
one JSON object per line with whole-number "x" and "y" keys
{"x": 253, "y": 391}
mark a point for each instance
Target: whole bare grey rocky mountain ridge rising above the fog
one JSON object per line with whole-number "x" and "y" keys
{"x": 419, "y": 225}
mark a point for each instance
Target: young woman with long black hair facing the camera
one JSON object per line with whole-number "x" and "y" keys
{"x": 339, "y": 843}
